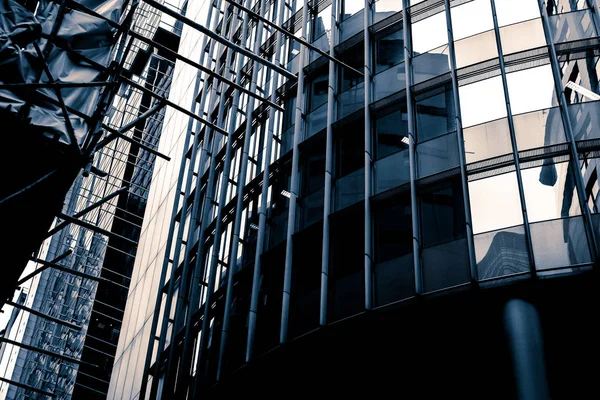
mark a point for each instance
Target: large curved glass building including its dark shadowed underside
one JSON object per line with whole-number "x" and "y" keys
{"x": 354, "y": 216}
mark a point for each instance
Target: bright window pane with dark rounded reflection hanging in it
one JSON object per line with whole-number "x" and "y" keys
{"x": 550, "y": 191}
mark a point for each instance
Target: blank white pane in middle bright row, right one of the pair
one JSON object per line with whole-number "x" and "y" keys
{"x": 531, "y": 89}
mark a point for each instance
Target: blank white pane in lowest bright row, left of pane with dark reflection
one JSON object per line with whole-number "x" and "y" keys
{"x": 495, "y": 203}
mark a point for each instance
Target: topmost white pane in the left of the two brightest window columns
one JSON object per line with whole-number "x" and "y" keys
{"x": 471, "y": 18}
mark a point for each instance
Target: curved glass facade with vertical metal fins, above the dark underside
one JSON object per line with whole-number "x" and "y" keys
{"x": 455, "y": 150}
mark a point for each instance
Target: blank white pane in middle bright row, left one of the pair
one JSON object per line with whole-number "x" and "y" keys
{"x": 482, "y": 101}
